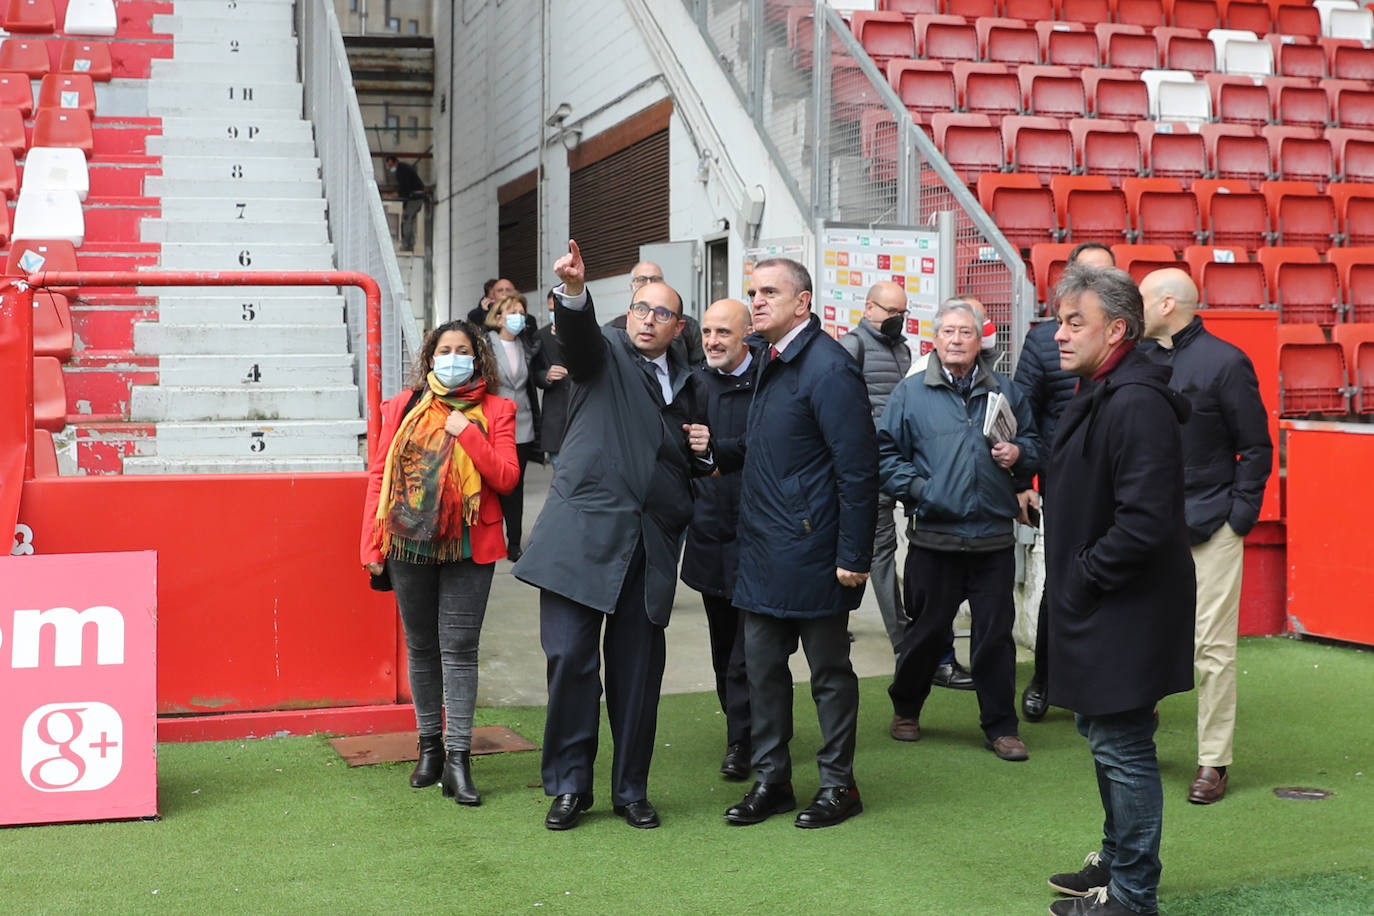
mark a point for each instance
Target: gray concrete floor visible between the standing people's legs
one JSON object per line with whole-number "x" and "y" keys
{"x": 513, "y": 663}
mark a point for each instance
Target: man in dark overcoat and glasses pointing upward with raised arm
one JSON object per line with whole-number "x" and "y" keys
{"x": 604, "y": 551}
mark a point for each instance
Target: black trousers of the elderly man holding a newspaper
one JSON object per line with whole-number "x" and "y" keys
{"x": 941, "y": 582}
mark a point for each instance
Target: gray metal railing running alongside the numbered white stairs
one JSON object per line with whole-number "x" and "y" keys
{"x": 358, "y": 223}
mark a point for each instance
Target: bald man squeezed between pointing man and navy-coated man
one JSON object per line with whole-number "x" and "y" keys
{"x": 711, "y": 558}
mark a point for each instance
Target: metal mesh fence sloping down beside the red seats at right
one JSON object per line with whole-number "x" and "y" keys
{"x": 848, "y": 148}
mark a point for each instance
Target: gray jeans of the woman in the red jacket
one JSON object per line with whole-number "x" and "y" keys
{"x": 443, "y": 606}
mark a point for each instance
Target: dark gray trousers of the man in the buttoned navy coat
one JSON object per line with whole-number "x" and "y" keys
{"x": 769, "y": 643}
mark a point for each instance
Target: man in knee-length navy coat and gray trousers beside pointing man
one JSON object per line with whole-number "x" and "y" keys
{"x": 809, "y": 509}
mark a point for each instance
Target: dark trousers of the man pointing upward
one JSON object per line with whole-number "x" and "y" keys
{"x": 571, "y": 635}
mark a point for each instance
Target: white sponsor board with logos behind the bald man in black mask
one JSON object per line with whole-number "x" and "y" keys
{"x": 853, "y": 259}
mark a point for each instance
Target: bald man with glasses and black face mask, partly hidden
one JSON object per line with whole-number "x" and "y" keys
{"x": 880, "y": 347}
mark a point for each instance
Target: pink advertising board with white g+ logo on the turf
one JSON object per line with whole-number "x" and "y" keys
{"x": 79, "y": 680}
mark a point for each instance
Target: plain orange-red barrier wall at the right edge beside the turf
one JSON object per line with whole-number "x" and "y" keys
{"x": 1329, "y": 509}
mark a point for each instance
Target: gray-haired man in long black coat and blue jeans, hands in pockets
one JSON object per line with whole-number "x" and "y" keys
{"x": 1122, "y": 608}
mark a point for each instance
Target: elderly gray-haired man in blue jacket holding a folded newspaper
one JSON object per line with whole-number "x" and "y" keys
{"x": 960, "y": 491}
